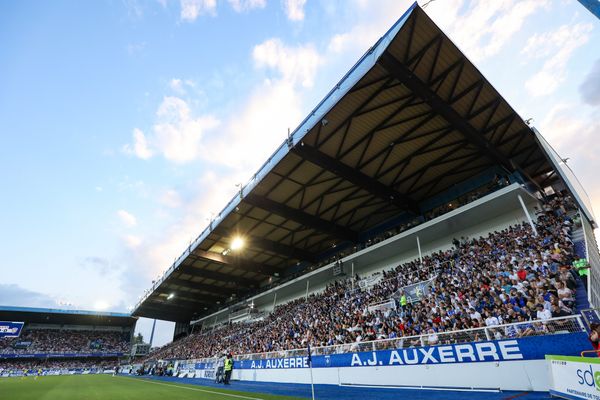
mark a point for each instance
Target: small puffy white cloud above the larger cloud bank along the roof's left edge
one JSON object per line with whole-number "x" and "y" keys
{"x": 295, "y": 64}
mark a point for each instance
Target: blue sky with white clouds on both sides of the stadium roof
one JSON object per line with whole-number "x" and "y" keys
{"x": 126, "y": 124}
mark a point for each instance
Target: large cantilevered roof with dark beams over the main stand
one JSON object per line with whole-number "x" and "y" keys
{"x": 410, "y": 120}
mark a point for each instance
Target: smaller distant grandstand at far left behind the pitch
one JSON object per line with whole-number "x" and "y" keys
{"x": 49, "y": 341}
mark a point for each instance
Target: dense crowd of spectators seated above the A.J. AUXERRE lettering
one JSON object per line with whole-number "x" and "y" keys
{"x": 508, "y": 276}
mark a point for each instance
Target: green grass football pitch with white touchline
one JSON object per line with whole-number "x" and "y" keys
{"x": 107, "y": 387}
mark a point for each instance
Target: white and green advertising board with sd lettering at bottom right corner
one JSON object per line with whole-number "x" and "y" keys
{"x": 574, "y": 377}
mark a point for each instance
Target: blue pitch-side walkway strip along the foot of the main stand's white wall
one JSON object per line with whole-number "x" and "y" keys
{"x": 334, "y": 392}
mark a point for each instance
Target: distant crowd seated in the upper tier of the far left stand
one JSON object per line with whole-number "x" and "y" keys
{"x": 65, "y": 341}
